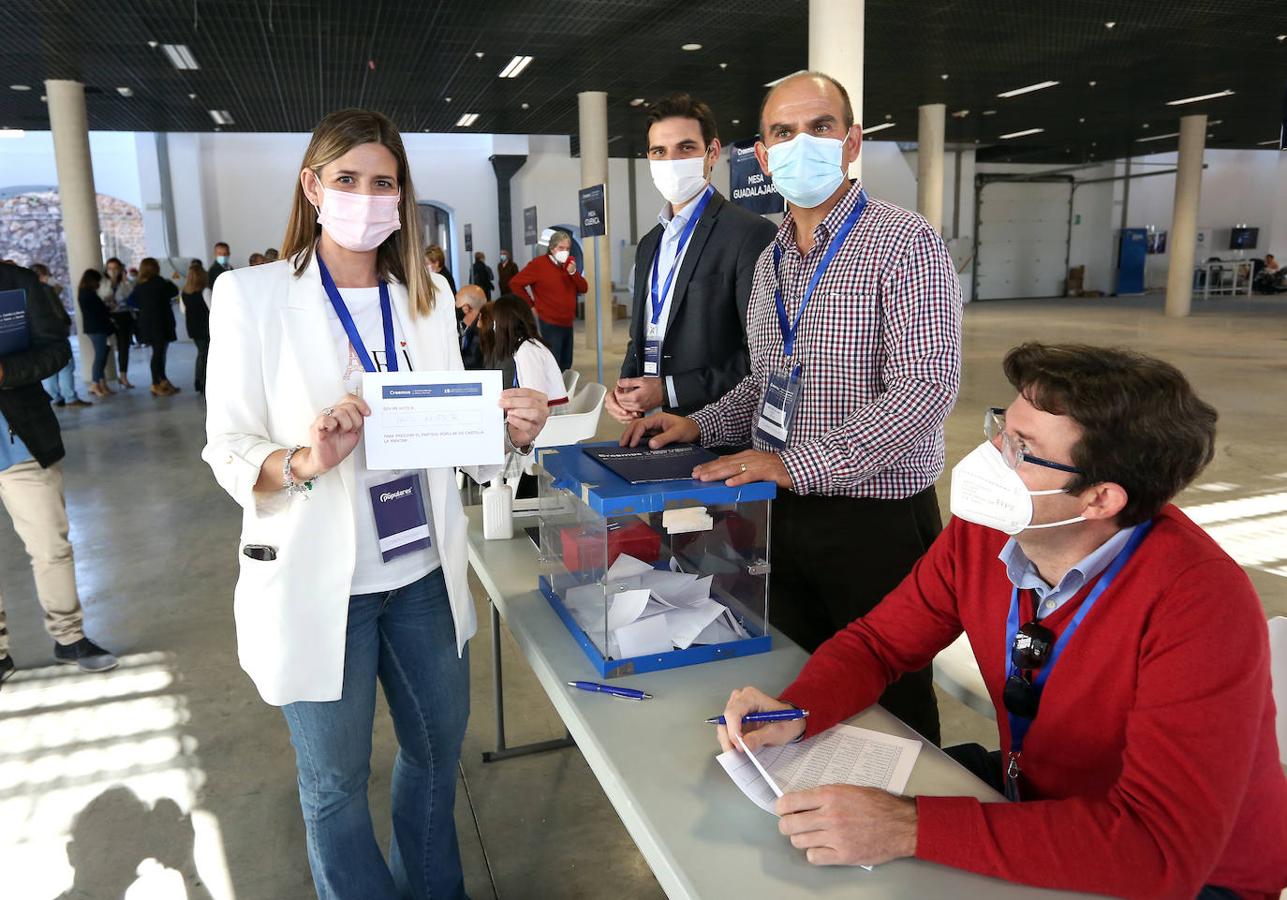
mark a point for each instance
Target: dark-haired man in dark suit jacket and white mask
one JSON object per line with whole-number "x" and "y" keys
{"x": 693, "y": 275}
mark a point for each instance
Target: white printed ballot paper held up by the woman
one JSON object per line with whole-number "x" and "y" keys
{"x": 432, "y": 420}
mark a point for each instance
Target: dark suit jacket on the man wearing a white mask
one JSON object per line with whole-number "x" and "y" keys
{"x": 705, "y": 348}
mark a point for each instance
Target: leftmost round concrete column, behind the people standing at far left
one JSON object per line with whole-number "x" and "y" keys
{"x": 75, "y": 191}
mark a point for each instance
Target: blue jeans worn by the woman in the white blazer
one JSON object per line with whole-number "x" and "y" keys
{"x": 407, "y": 639}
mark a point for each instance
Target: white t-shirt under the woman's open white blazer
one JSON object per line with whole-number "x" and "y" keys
{"x": 373, "y": 575}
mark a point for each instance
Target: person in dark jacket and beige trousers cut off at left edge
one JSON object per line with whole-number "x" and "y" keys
{"x": 32, "y": 480}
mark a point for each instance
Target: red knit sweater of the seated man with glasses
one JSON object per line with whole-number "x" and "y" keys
{"x": 1153, "y": 768}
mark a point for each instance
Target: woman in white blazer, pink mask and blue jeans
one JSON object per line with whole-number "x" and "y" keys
{"x": 325, "y": 608}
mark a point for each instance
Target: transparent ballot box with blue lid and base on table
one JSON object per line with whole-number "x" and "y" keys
{"x": 653, "y": 576}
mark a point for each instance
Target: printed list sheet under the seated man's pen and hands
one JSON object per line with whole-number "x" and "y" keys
{"x": 842, "y": 755}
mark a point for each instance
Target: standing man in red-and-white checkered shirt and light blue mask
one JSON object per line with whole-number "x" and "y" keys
{"x": 878, "y": 348}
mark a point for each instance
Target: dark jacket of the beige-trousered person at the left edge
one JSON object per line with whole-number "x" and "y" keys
{"x": 24, "y": 402}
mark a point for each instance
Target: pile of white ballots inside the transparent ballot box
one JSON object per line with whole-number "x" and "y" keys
{"x": 651, "y": 611}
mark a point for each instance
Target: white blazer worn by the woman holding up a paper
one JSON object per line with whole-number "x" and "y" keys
{"x": 273, "y": 368}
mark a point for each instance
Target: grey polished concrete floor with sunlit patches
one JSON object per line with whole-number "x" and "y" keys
{"x": 171, "y": 778}
